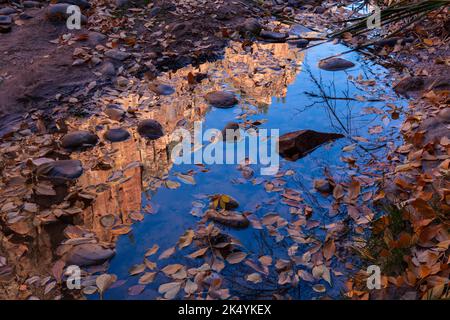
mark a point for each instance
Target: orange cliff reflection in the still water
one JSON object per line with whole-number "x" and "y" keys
{"x": 256, "y": 74}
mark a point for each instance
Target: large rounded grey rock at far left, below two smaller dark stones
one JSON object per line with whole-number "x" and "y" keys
{"x": 60, "y": 170}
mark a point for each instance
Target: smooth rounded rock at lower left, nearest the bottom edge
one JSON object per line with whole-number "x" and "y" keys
{"x": 88, "y": 254}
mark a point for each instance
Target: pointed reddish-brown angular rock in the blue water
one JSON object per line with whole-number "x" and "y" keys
{"x": 297, "y": 144}
